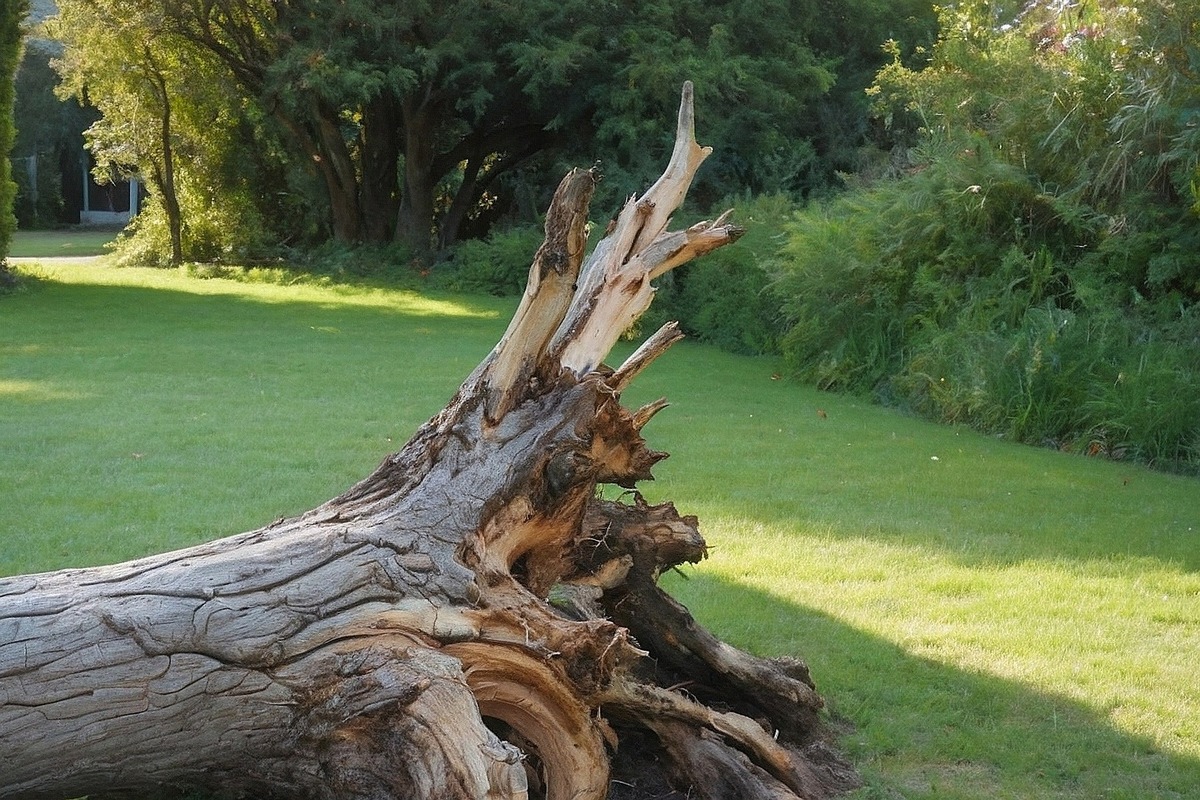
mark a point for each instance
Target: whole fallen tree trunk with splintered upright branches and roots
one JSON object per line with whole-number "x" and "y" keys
{"x": 471, "y": 621}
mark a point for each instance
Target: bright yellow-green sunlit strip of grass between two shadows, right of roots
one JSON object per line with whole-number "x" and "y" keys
{"x": 1117, "y": 635}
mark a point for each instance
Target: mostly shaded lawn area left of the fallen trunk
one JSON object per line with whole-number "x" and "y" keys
{"x": 142, "y": 411}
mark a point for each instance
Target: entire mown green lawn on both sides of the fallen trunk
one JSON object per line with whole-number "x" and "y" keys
{"x": 987, "y": 621}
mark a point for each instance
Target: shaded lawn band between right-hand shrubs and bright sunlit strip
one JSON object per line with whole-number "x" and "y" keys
{"x": 790, "y": 454}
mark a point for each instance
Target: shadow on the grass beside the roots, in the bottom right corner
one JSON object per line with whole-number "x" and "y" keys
{"x": 919, "y": 729}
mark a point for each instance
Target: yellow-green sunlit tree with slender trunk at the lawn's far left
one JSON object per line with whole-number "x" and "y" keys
{"x": 172, "y": 117}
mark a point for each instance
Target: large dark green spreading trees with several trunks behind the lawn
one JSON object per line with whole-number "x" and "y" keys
{"x": 424, "y": 123}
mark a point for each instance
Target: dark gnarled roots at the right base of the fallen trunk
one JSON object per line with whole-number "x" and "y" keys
{"x": 721, "y": 724}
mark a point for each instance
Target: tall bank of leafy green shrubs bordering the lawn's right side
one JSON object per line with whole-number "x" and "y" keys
{"x": 1030, "y": 268}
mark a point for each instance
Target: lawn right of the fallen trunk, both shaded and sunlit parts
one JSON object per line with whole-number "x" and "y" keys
{"x": 995, "y": 621}
